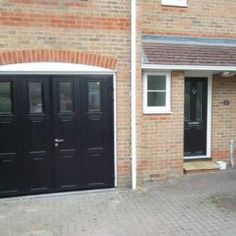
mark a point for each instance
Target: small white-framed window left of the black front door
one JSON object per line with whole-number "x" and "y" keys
{"x": 156, "y": 93}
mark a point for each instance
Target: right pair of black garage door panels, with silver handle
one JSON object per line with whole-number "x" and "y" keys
{"x": 83, "y": 131}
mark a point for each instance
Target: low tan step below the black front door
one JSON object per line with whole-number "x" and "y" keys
{"x": 200, "y": 167}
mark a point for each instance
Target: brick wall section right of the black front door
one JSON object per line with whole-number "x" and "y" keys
{"x": 223, "y": 116}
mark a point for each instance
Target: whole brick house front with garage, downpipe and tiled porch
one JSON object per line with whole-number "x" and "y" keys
{"x": 97, "y": 94}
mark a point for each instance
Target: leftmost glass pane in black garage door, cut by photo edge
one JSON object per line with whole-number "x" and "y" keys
{"x": 5, "y": 97}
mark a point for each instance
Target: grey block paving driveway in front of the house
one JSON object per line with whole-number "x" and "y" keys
{"x": 203, "y": 204}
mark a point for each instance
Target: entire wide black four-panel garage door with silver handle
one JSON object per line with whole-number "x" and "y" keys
{"x": 56, "y": 133}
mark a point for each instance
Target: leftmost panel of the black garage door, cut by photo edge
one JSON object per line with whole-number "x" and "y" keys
{"x": 10, "y": 148}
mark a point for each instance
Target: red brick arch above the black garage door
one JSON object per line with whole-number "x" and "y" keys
{"x": 50, "y": 55}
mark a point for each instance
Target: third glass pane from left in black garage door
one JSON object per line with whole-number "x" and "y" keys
{"x": 65, "y": 90}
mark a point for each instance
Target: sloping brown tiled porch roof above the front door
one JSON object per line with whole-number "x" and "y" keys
{"x": 179, "y": 54}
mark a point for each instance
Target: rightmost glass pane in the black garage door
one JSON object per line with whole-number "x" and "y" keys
{"x": 94, "y": 99}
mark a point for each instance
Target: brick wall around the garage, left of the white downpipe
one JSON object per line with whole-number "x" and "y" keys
{"x": 89, "y": 32}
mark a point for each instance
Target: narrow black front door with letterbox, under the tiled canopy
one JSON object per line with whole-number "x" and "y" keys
{"x": 195, "y": 117}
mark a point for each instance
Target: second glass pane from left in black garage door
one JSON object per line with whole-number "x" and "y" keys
{"x": 35, "y": 97}
